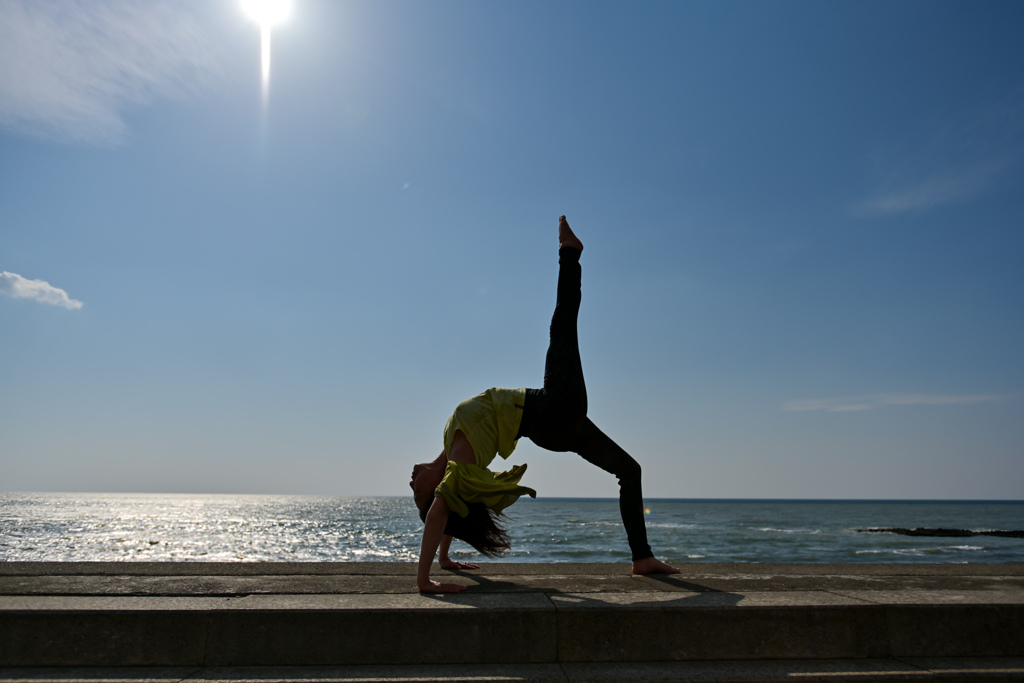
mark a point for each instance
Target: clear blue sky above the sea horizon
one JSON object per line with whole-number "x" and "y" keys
{"x": 803, "y": 230}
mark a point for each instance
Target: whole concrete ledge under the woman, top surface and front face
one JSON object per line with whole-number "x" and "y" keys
{"x": 168, "y": 615}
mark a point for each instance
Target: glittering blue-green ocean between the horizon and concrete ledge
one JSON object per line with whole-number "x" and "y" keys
{"x": 271, "y": 529}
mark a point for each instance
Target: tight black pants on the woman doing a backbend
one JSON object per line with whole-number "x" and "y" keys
{"x": 556, "y": 417}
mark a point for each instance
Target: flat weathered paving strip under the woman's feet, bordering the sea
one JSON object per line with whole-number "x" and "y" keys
{"x": 398, "y": 578}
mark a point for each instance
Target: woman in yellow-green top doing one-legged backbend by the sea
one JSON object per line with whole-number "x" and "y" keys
{"x": 459, "y": 497}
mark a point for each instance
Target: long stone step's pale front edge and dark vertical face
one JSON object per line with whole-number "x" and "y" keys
{"x": 292, "y": 630}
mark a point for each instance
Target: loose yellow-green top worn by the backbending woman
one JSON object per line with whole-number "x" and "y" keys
{"x": 491, "y": 422}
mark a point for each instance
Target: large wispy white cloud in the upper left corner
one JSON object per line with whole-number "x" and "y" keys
{"x": 69, "y": 69}
